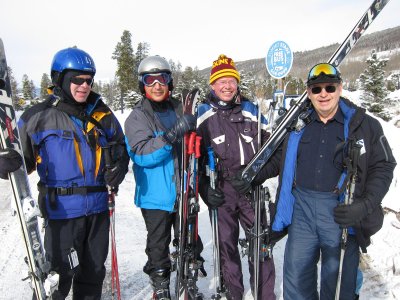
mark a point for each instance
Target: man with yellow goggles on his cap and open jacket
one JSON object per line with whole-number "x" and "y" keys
{"x": 313, "y": 167}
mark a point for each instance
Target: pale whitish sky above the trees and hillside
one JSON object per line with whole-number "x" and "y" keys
{"x": 191, "y": 32}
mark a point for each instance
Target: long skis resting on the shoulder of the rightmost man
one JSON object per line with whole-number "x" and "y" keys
{"x": 293, "y": 118}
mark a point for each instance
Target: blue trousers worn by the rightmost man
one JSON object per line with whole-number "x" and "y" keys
{"x": 313, "y": 236}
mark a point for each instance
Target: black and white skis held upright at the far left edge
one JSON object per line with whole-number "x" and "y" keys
{"x": 41, "y": 280}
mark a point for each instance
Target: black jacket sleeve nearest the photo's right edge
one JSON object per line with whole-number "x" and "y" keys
{"x": 381, "y": 164}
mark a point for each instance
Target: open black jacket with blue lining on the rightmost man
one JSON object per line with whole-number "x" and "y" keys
{"x": 375, "y": 171}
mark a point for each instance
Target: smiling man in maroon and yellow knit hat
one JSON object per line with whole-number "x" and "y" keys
{"x": 228, "y": 123}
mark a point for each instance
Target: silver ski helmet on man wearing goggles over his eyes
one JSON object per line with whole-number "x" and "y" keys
{"x": 153, "y": 65}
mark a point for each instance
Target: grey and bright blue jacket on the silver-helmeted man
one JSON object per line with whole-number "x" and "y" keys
{"x": 155, "y": 162}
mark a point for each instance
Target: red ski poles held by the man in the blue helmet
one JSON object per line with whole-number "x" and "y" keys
{"x": 111, "y": 208}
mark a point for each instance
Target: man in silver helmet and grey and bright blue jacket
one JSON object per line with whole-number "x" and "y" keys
{"x": 154, "y": 131}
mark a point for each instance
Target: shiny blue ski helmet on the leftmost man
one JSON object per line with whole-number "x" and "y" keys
{"x": 73, "y": 59}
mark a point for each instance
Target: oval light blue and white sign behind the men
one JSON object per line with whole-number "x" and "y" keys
{"x": 279, "y": 60}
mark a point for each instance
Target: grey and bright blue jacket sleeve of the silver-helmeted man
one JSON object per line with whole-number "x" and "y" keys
{"x": 146, "y": 146}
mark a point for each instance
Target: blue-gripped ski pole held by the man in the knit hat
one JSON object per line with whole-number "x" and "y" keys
{"x": 214, "y": 226}
